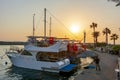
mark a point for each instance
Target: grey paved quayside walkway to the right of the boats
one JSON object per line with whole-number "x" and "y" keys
{"x": 107, "y": 63}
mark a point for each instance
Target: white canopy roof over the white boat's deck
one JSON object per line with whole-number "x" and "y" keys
{"x": 59, "y": 46}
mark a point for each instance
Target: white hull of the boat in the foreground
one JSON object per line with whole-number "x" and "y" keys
{"x": 30, "y": 63}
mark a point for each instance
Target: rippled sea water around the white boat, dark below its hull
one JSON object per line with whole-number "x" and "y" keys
{"x": 10, "y": 72}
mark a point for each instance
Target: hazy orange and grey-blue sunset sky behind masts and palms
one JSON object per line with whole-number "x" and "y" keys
{"x": 16, "y": 18}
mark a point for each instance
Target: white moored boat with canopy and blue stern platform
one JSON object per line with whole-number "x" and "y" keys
{"x": 46, "y": 58}
